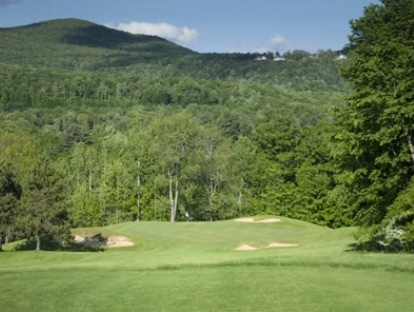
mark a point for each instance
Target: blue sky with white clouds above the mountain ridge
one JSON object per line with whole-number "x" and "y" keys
{"x": 208, "y": 25}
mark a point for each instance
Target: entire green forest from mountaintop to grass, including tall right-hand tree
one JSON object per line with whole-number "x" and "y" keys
{"x": 97, "y": 132}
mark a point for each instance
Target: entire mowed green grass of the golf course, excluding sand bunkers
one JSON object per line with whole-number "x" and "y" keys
{"x": 194, "y": 267}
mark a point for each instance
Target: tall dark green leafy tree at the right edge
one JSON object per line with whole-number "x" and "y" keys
{"x": 376, "y": 130}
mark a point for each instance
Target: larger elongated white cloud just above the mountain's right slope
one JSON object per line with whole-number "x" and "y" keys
{"x": 181, "y": 35}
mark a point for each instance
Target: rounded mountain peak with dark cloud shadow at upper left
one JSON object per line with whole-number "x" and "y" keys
{"x": 73, "y": 43}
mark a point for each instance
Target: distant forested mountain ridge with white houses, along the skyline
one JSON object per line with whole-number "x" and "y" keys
{"x": 78, "y": 45}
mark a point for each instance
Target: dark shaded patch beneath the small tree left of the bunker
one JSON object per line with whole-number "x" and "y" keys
{"x": 49, "y": 244}
